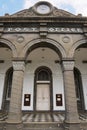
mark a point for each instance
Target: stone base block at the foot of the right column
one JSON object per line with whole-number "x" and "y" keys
{"x": 72, "y": 126}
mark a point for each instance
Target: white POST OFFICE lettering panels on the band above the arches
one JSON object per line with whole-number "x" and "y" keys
{"x": 49, "y": 29}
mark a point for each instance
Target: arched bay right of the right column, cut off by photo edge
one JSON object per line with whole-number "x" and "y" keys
{"x": 78, "y": 51}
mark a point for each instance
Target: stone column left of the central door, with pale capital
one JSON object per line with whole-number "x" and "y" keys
{"x": 14, "y": 121}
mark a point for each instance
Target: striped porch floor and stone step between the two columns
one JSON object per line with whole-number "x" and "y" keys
{"x": 43, "y": 121}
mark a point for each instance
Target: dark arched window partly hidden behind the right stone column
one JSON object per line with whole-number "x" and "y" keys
{"x": 79, "y": 90}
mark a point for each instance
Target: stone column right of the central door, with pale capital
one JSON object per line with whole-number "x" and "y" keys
{"x": 71, "y": 113}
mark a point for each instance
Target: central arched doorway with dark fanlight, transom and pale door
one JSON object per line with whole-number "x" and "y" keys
{"x": 43, "y": 89}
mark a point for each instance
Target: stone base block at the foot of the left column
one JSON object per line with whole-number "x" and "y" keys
{"x": 14, "y": 126}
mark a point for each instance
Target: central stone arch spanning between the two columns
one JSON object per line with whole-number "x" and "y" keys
{"x": 44, "y": 42}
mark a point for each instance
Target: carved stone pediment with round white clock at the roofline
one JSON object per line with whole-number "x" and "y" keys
{"x": 43, "y": 7}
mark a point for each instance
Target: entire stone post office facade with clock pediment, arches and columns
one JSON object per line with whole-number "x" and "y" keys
{"x": 43, "y": 64}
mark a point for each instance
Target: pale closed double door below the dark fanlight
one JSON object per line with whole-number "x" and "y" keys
{"x": 43, "y": 97}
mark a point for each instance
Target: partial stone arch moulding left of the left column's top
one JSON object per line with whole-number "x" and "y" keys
{"x": 10, "y": 45}
